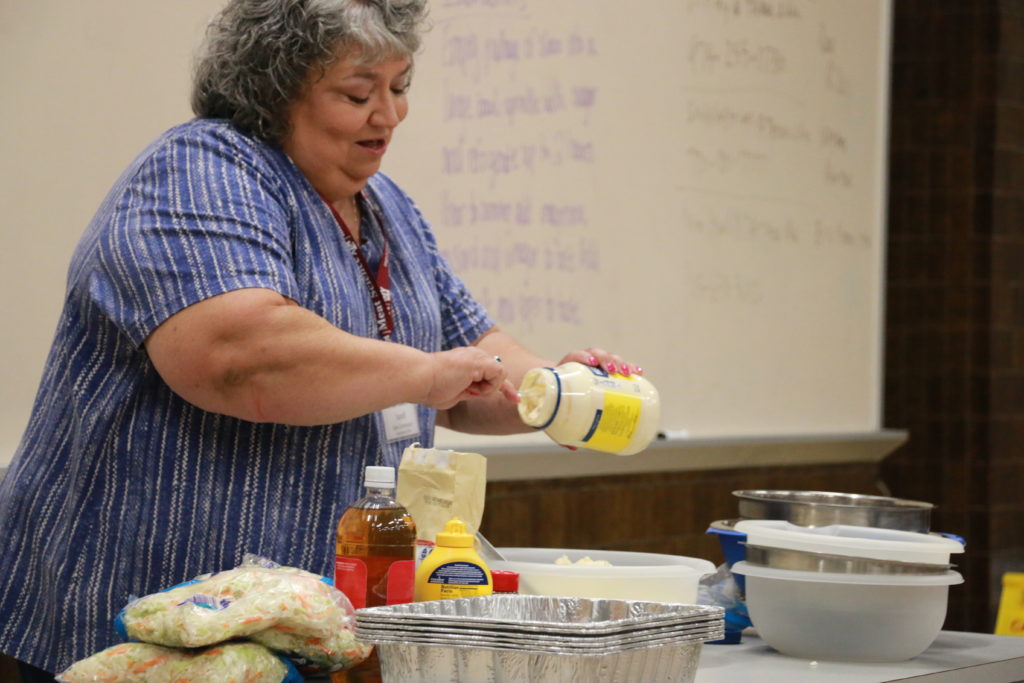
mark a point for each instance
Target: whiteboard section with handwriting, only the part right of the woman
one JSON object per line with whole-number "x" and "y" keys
{"x": 697, "y": 185}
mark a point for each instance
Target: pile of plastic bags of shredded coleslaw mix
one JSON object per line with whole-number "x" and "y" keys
{"x": 192, "y": 632}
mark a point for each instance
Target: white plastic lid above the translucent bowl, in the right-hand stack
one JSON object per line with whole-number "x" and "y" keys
{"x": 882, "y": 544}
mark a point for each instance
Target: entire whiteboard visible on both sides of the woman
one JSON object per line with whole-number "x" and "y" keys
{"x": 697, "y": 185}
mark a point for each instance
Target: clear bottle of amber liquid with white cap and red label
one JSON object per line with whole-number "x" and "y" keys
{"x": 375, "y": 558}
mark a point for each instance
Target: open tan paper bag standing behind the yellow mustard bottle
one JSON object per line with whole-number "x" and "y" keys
{"x": 436, "y": 486}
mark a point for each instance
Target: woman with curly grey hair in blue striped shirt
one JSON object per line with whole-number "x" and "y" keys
{"x": 254, "y": 316}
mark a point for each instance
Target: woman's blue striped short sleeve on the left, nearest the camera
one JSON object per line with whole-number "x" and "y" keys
{"x": 200, "y": 214}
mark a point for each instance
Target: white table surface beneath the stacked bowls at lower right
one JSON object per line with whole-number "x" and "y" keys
{"x": 954, "y": 658}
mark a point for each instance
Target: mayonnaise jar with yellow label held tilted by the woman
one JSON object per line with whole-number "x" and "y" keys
{"x": 584, "y": 407}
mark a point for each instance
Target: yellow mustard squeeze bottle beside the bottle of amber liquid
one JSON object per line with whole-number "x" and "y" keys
{"x": 453, "y": 570}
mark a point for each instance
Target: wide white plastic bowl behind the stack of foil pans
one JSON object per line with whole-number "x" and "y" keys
{"x": 632, "y": 577}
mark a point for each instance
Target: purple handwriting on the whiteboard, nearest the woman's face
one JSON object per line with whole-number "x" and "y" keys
{"x": 516, "y": 114}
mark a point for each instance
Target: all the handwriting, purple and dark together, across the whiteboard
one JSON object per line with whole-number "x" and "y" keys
{"x": 767, "y": 161}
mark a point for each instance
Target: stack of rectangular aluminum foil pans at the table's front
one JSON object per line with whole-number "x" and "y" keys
{"x": 532, "y": 638}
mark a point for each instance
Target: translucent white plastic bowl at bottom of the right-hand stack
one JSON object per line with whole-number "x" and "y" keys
{"x": 843, "y": 617}
